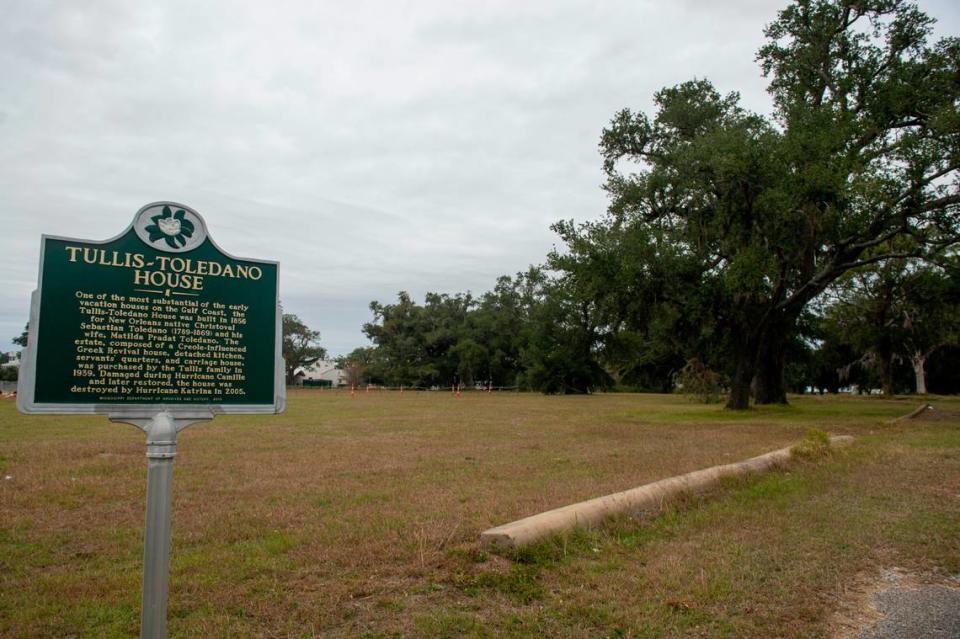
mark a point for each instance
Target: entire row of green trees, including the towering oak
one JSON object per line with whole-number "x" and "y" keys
{"x": 812, "y": 247}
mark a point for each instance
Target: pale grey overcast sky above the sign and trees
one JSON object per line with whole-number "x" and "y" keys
{"x": 369, "y": 147}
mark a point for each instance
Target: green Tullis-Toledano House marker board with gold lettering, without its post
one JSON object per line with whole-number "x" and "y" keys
{"x": 157, "y": 315}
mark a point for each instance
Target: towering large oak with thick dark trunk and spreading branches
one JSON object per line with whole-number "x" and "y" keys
{"x": 759, "y": 215}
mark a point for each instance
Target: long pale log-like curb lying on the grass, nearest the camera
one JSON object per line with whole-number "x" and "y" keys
{"x": 651, "y": 496}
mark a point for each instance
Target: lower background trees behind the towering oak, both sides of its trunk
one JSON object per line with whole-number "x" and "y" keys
{"x": 880, "y": 328}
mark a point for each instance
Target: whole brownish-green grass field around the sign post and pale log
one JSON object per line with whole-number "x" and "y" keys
{"x": 360, "y": 517}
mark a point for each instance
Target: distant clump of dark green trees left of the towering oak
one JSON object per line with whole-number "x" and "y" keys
{"x": 528, "y": 331}
